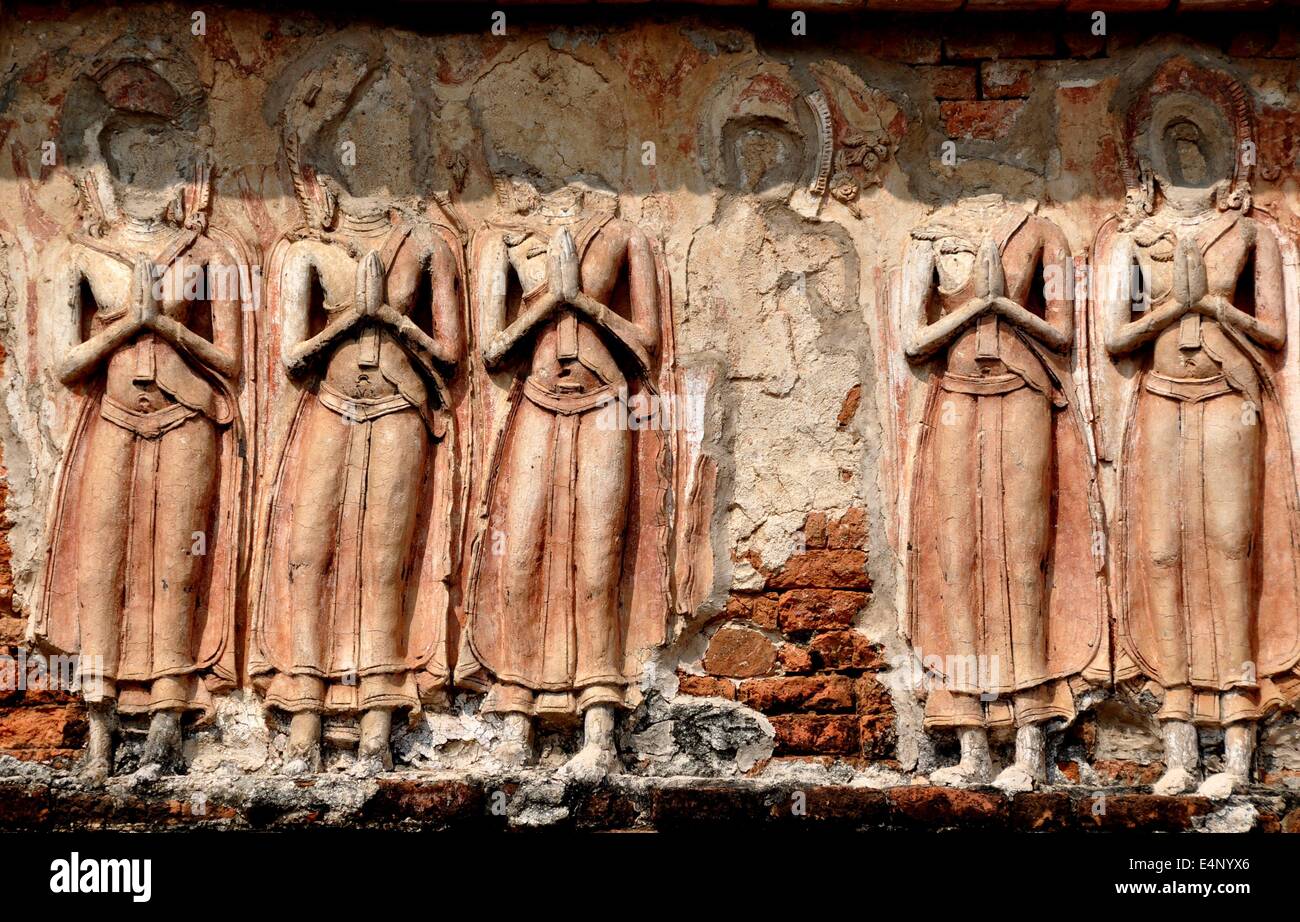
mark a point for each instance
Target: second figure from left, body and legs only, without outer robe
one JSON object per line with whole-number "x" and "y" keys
{"x": 374, "y": 366}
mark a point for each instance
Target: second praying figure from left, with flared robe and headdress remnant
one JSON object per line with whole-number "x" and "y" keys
{"x": 352, "y": 574}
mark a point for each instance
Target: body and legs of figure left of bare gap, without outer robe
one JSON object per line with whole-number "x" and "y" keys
{"x": 573, "y": 337}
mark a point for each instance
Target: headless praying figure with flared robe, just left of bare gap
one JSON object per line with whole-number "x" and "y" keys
{"x": 569, "y": 582}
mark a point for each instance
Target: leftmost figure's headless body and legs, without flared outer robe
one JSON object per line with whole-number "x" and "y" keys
{"x": 161, "y": 414}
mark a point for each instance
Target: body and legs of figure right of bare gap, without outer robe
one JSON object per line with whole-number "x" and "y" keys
{"x": 999, "y": 616}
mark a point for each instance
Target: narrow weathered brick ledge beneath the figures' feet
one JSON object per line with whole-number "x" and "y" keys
{"x": 38, "y": 799}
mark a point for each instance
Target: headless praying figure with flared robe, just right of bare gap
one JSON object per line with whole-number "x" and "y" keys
{"x": 1004, "y": 599}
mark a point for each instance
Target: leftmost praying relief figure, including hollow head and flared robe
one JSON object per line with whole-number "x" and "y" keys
{"x": 145, "y": 535}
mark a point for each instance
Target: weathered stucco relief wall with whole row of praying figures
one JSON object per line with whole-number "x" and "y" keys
{"x": 879, "y": 496}
